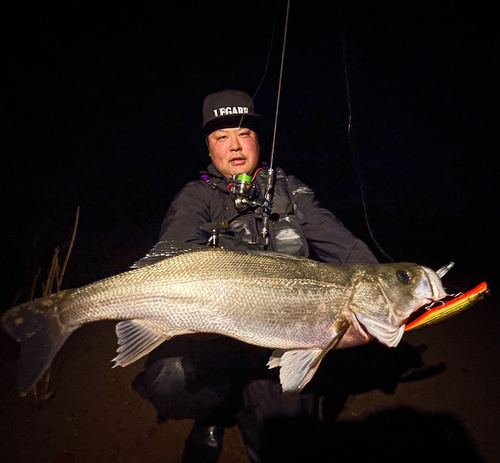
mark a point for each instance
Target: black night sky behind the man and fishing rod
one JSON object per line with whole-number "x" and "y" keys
{"x": 102, "y": 110}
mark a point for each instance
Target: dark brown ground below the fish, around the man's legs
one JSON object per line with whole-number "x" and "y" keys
{"x": 435, "y": 398}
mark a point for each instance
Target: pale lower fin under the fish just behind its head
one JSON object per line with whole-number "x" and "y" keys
{"x": 298, "y": 366}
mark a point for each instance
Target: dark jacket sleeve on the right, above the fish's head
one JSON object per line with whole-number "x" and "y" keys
{"x": 326, "y": 235}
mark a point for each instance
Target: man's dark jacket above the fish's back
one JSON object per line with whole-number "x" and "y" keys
{"x": 204, "y": 204}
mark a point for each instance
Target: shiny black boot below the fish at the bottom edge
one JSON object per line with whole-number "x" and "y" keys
{"x": 204, "y": 444}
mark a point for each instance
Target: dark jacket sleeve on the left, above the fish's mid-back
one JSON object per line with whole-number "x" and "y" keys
{"x": 189, "y": 210}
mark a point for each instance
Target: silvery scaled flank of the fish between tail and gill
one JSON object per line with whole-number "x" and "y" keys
{"x": 225, "y": 297}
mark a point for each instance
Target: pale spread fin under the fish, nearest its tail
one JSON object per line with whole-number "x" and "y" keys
{"x": 136, "y": 338}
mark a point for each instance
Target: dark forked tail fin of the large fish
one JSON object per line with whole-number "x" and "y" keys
{"x": 35, "y": 326}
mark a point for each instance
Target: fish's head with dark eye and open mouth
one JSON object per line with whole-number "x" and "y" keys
{"x": 386, "y": 295}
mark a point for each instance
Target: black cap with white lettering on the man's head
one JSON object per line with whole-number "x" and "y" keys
{"x": 229, "y": 108}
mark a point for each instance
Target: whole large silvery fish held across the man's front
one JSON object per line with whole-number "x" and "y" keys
{"x": 300, "y": 307}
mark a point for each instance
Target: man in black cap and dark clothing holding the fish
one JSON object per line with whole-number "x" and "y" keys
{"x": 219, "y": 382}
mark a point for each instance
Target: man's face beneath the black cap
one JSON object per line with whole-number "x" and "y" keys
{"x": 234, "y": 151}
